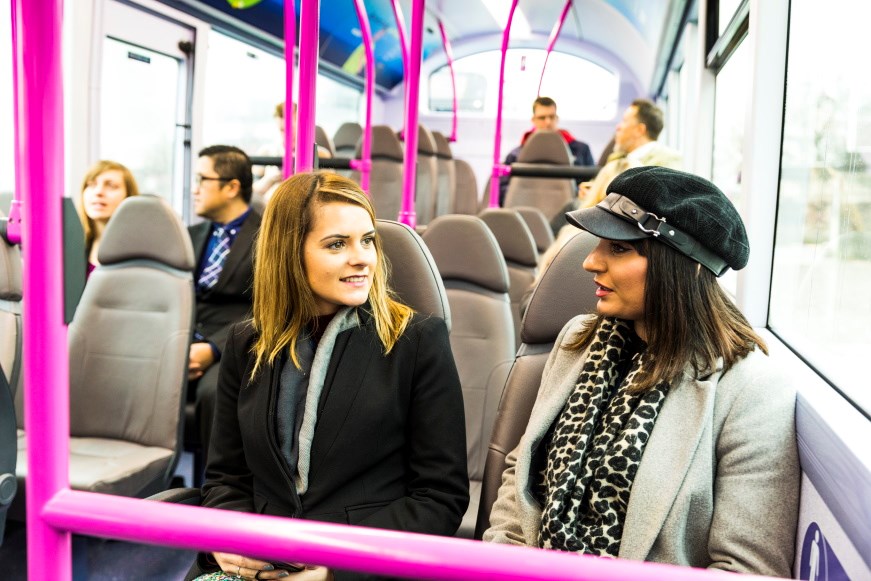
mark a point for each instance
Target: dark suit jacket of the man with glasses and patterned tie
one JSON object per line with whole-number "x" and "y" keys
{"x": 229, "y": 301}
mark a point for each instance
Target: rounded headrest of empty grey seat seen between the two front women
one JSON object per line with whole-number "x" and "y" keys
{"x": 464, "y": 248}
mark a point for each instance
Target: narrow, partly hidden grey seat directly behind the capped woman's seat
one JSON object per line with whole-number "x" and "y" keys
{"x": 521, "y": 256}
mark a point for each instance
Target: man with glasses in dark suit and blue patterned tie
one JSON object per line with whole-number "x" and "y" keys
{"x": 223, "y": 244}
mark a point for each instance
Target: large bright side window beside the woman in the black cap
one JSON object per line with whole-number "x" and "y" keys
{"x": 821, "y": 280}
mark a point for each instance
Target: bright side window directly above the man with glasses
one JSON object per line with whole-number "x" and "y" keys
{"x": 243, "y": 86}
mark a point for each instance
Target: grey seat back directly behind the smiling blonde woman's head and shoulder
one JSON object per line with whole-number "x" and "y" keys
{"x": 414, "y": 276}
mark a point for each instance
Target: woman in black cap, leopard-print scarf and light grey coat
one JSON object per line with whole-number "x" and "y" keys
{"x": 661, "y": 431}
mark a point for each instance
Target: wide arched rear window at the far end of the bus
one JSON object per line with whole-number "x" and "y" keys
{"x": 478, "y": 85}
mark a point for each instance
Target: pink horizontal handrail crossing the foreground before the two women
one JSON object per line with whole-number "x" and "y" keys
{"x": 376, "y": 551}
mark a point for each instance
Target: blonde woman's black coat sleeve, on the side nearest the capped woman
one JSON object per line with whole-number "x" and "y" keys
{"x": 438, "y": 480}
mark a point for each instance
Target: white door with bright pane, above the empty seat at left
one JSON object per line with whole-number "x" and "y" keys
{"x": 144, "y": 99}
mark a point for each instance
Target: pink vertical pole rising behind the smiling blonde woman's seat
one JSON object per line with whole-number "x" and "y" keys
{"x": 412, "y": 91}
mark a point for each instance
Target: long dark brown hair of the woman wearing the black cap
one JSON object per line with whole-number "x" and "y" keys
{"x": 688, "y": 319}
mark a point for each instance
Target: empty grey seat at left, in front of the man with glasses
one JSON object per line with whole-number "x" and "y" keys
{"x": 128, "y": 353}
